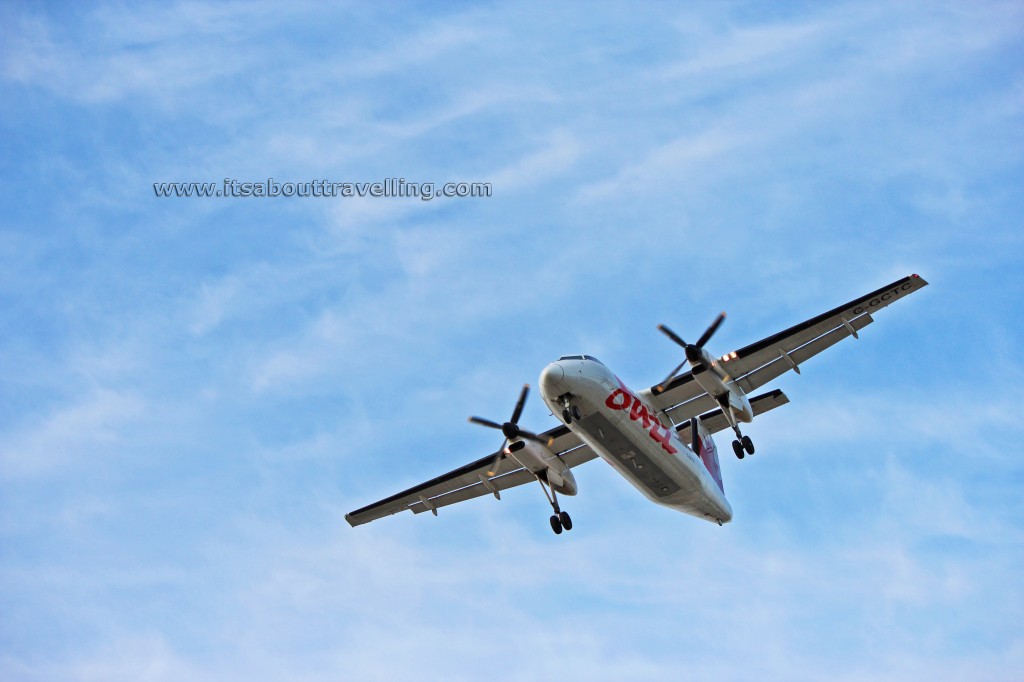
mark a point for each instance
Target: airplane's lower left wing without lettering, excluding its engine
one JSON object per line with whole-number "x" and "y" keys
{"x": 472, "y": 481}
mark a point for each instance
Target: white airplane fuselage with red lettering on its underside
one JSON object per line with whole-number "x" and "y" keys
{"x": 624, "y": 431}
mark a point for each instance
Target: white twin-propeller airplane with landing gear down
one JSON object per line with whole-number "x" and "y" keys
{"x": 659, "y": 439}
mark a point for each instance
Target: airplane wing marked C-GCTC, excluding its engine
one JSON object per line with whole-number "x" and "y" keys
{"x": 756, "y": 365}
